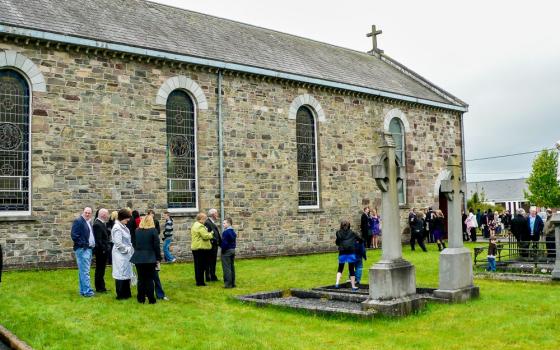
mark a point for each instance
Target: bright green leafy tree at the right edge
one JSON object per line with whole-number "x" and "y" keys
{"x": 544, "y": 190}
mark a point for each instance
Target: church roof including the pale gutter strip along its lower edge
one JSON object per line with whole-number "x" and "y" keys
{"x": 284, "y": 56}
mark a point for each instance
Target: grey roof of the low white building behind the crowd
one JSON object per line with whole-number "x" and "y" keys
{"x": 499, "y": 190}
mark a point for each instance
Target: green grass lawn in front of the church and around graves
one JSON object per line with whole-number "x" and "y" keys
{"x": 43, "y": 308}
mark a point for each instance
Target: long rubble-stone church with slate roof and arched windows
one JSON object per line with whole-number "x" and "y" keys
{"x": 115, "y": 103}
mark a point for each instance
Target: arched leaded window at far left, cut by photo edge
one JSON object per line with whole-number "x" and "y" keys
{"x": 14, "y": 143}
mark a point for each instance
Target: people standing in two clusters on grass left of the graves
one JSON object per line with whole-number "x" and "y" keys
{"x": 125, "y": 238}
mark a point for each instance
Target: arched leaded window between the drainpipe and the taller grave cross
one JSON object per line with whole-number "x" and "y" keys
{"x": 306, "y": 138}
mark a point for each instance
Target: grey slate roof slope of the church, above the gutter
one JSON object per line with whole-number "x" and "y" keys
{"x": 154, "y": 26}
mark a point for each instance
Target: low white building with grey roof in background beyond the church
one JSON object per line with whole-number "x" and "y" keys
{"x": 507, "y": 193}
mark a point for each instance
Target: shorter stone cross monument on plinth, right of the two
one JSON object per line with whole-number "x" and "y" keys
{"x": 455, "y": 264}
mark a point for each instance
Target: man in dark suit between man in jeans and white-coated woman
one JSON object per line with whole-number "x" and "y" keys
{"x": 102, "y": 248}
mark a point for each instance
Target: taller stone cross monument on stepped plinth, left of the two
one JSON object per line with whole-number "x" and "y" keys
{"x": 392, "y": 277}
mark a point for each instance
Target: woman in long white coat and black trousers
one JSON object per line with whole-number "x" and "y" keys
{"x": 121, "y": 254}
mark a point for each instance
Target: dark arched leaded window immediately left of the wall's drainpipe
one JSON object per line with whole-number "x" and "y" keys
{"x": 181, "y": 152}
